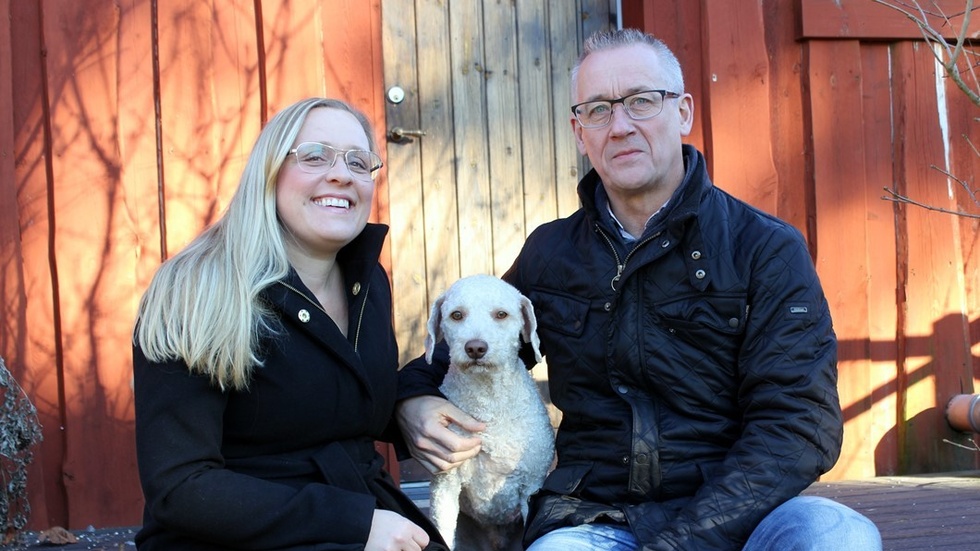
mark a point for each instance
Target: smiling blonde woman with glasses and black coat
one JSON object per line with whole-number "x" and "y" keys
{"x": 265, "y": 361}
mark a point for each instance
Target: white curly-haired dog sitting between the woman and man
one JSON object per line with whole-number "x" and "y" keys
{"x": 483, "y": 318}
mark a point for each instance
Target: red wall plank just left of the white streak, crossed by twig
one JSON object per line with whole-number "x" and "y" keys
{"x": 935, "y": 327}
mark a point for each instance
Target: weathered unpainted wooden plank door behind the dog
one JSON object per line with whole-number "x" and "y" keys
{"x": 480, "y": 91}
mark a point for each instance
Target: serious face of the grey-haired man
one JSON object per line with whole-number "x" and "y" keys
{"x": 632, "y": 157}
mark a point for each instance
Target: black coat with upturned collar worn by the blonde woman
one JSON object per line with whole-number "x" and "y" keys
{"x": 289, "y": 463}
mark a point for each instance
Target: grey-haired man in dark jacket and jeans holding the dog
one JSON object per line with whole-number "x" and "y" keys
{"x": 689, "y": 344}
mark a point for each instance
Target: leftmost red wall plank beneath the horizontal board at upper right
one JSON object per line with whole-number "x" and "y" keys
{"x": 835, "y": 99}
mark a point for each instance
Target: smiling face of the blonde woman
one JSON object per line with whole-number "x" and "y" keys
{"x": 324, "y": 210}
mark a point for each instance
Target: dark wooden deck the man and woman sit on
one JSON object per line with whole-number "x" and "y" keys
{"x": 912, "y": 512}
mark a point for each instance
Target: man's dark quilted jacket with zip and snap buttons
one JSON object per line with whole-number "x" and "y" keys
{"x": 695, "y": 370}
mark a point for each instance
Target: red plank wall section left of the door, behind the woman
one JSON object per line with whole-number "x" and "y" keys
{"x": 108, "y": 110}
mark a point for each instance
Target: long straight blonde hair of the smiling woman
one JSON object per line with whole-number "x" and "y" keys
{"x": 203, "y": 306}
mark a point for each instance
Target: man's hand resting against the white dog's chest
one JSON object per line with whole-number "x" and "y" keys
{"x": 425, "y": 421}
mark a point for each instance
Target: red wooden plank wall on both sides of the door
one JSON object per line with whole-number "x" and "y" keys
{"x": 110, "y": 109}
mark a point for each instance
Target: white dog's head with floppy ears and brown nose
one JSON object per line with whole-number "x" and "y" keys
{"x": 482, "y": 318}
